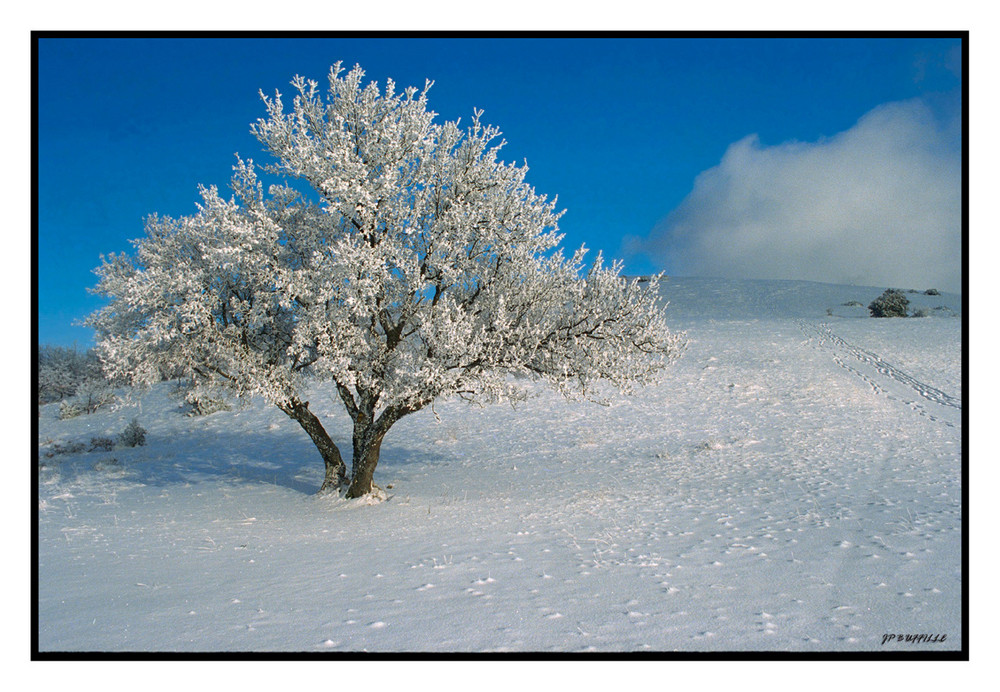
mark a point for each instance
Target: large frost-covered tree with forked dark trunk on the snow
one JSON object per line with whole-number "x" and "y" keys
{"x": 416, "y": 266}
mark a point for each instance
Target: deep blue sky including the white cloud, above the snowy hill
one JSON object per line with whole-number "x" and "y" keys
{"x": 752, "y": 157}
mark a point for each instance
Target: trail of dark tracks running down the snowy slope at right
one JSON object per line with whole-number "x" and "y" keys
{"x": 883, "y": 377}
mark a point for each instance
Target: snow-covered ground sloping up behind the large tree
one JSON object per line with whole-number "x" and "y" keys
{"x": 794, "y": 484}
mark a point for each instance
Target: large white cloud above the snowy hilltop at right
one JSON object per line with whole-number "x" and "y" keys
{"x": 879, "y": 204}
